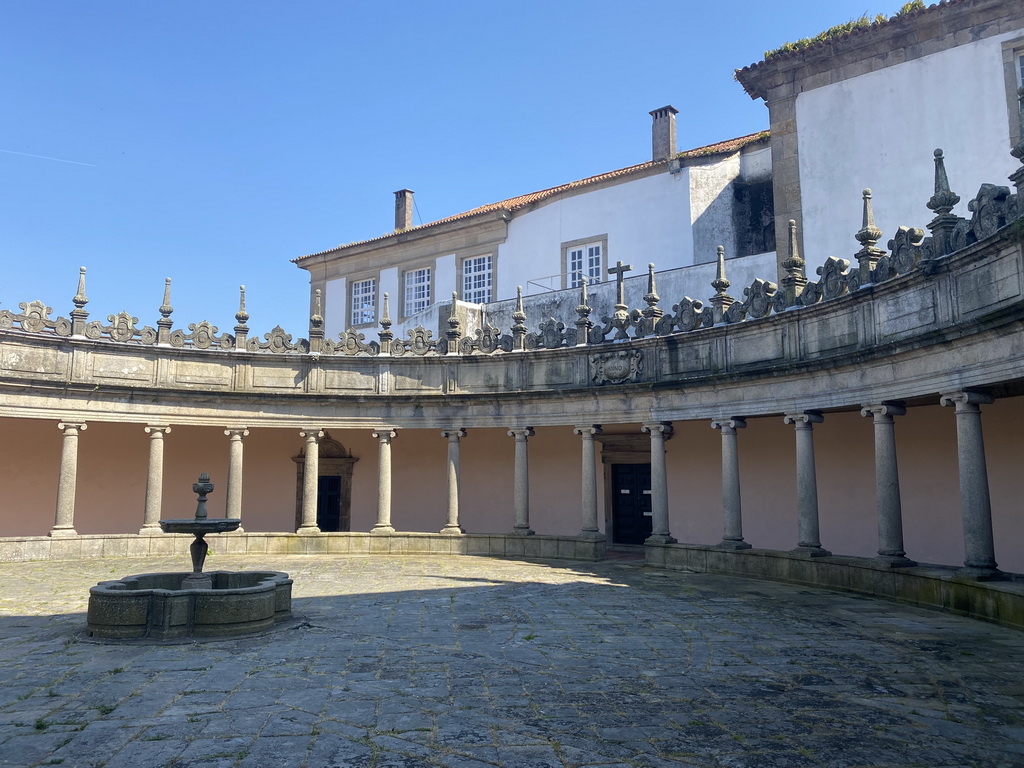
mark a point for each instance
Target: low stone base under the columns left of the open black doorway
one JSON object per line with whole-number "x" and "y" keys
{"x": 132, "y": 545}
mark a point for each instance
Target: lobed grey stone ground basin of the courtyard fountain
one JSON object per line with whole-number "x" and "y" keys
{"x": 154, "y": 606}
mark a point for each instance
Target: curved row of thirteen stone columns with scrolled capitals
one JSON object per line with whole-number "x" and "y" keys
{"x": 976, "y": 509}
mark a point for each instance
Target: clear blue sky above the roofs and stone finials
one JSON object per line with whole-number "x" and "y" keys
{"x": 212, "y": 142}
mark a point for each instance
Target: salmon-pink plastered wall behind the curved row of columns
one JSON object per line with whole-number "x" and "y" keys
{"x": 113, "y": 461}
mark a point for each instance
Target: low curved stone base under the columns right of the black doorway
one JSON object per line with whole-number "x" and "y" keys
{"x": 942, "y": 587}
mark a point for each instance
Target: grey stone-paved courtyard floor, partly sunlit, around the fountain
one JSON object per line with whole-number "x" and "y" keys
{"x": 474, "y": 663}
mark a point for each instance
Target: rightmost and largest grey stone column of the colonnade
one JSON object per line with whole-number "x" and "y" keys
{"x": 979, "y": 548}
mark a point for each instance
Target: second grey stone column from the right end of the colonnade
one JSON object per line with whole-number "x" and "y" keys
{"x": 887, "y": 501}
